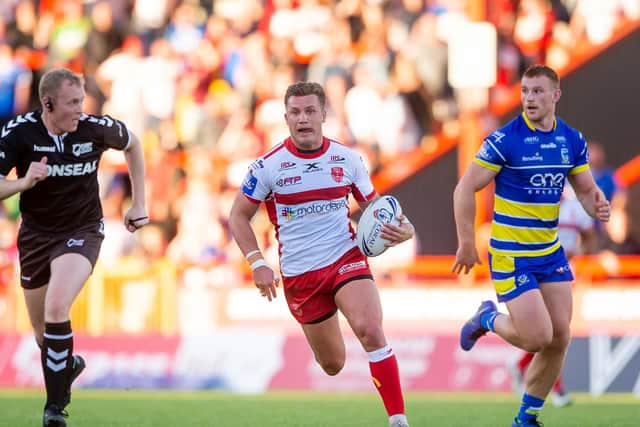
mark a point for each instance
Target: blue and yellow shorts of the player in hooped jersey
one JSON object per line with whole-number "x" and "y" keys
{"x": 511, "y": 276}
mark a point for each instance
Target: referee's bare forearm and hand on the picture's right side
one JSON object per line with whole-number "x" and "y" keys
{"x": 136, "y": 217}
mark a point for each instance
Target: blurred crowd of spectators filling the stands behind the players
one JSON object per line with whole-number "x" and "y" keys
{"x": 202, "y": 84}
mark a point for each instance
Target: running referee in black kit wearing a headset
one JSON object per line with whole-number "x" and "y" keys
{"x": 56, "y": 152}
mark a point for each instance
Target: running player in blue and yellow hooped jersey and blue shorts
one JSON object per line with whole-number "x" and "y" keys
{"x": 528, "y": 159}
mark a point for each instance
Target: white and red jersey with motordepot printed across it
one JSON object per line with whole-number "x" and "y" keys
{"x": 306, "y": 195}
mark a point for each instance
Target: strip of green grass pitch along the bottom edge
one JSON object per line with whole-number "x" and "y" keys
{"x": 97, "y": 408}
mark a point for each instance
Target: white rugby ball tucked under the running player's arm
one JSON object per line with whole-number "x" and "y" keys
{"x": 385, "y": 210}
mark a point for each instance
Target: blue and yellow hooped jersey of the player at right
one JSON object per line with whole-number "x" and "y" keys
{"x": 532, "y": 166}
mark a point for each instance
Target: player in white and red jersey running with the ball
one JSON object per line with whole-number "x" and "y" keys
{"x": 305, "y": 182}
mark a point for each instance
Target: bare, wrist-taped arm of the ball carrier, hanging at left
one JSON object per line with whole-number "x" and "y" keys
{"x": 240, "y": 225}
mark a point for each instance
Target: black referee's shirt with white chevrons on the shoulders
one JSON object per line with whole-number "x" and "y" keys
{"x": 68, "y": 198}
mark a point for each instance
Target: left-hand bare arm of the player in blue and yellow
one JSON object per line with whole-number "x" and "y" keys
{"x": 474, "y": 179}
